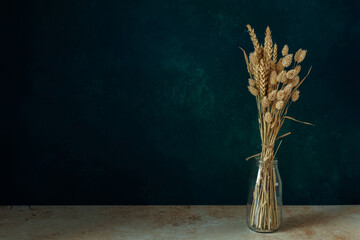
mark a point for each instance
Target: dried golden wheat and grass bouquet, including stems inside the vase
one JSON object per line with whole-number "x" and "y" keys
{"x": 274, "y": 83}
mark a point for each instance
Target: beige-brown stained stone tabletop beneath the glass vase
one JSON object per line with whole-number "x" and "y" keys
{"x": 172, "y": 222}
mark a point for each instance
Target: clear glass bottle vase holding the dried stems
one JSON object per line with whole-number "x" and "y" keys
{"x": 264, "y": 204}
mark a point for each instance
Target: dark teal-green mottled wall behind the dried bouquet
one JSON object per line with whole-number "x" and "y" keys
{"x": 145, "y": 102}
